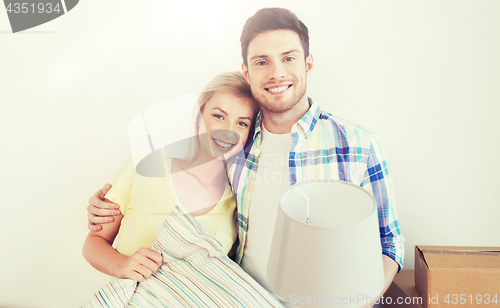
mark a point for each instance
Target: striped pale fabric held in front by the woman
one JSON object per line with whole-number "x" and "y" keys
{"x": 195, "y": 273}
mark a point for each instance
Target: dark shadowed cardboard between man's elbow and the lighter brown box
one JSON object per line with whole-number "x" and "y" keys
{"x": 402, "y": 292}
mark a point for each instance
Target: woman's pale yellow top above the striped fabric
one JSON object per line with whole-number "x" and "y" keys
{"x": 145, "y": 203}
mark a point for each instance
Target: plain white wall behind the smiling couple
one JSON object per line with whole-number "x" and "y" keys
{"x": 423, "y": 75}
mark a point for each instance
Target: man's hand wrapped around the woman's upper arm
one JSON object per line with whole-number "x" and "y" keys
{"x": 101, "y": 211}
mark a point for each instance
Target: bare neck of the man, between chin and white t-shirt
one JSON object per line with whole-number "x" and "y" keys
{"x": 281, "y": 123}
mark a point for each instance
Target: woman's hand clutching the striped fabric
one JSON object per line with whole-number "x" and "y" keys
{"x": 139, "y": 266}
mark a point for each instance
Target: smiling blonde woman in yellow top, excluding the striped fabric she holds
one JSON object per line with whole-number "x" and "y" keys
{"x": 227, "y": 109}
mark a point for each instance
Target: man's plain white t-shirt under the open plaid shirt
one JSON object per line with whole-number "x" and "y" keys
{"x": 272, "y": 179}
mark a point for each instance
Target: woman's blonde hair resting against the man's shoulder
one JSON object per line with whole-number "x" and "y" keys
{"x": 231, "y": 82}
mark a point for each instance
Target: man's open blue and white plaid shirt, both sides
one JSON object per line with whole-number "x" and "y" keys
{"x": 325, "y": 147}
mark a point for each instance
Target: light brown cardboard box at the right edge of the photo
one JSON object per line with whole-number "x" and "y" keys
{"x": 453, "y": 276}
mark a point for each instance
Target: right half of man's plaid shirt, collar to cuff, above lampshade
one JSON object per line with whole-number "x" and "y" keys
{"x": 354, "y": 155}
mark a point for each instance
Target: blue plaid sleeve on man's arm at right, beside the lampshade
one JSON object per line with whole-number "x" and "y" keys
{"x": 377, "y": 179}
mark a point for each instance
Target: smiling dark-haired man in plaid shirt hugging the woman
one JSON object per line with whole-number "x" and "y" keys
{"x": 294, "y": 141}
